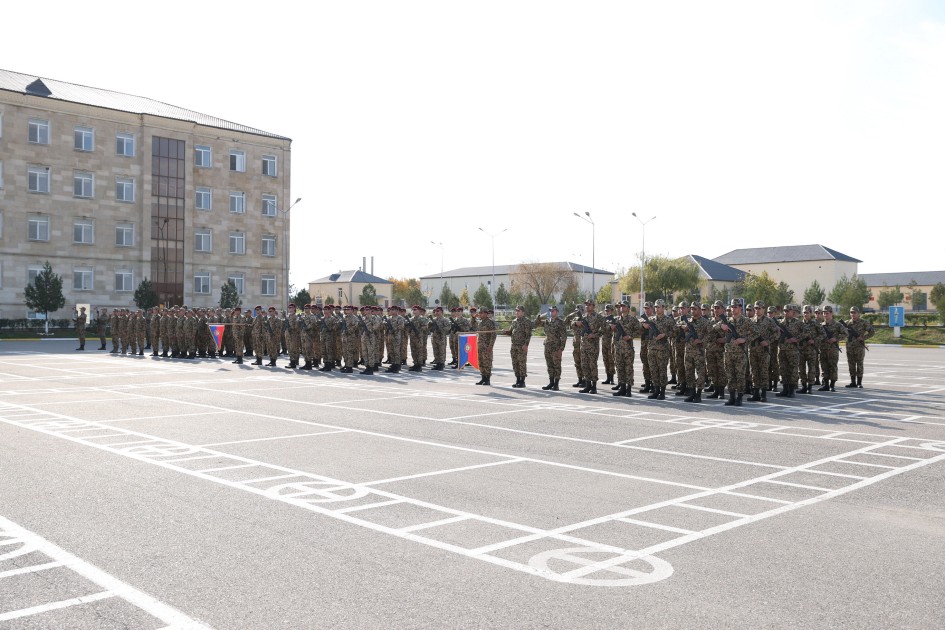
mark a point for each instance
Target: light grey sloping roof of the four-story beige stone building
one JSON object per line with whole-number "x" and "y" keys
{"x": 97, "y": 97}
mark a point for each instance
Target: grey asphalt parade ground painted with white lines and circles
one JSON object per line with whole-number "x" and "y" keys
{"x": 138, "y": 492}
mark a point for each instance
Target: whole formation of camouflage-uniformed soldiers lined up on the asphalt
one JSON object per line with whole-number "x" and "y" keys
{"x": 702, "y": 347}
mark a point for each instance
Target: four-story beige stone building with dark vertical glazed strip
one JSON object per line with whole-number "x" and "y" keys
{"x": 113, "y": 189}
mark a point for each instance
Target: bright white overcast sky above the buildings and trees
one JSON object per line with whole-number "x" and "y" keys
{"x": 421, "y": 129}
